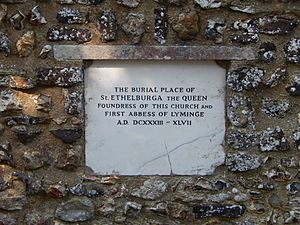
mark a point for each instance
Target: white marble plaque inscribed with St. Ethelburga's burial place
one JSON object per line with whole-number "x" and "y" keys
{"x": 154, "y": 117}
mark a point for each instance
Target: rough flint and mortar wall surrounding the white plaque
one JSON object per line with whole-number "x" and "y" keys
{"x": 43, "y": 179}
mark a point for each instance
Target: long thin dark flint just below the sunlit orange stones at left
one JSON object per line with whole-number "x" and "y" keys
{"x": 25, "y": 120}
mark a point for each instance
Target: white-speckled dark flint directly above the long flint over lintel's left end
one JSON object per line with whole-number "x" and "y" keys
{"x": 69, "y": 16}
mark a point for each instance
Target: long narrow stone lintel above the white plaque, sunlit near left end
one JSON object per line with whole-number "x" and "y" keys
{"x": 122, "y": 52}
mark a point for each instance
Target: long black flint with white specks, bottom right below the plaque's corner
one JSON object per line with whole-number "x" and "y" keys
{"x": 227, "y": 211}
